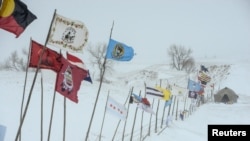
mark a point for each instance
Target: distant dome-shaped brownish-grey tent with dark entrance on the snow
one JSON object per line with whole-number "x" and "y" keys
{"x": 226, "y": 95}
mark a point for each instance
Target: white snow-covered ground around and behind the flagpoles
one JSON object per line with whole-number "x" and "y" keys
{"x": 193, "y": 127}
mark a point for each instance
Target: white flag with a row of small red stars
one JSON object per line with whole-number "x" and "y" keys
{"x": 116, "y": 109}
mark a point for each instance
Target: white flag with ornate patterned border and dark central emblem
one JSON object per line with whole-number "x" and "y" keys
{"x": 67, "y": 34}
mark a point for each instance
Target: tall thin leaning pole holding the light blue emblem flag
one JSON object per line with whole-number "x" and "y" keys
{"x": 99, "y": 89}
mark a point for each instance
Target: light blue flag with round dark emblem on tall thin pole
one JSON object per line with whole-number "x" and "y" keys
{"x": 119, "y": 51}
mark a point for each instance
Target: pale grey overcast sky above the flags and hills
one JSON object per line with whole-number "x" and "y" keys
{"x": 211, "y": 28}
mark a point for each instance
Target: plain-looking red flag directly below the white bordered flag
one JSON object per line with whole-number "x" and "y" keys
{"x": 50, "y": 58}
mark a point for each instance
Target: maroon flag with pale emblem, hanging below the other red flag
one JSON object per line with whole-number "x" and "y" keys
{"x": 69, "y": 80}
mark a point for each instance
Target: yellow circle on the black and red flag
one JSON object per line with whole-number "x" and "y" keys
{"x": 7, "y": 8}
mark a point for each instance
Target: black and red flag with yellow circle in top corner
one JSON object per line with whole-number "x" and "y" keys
{"x": 17, "y": 20}
